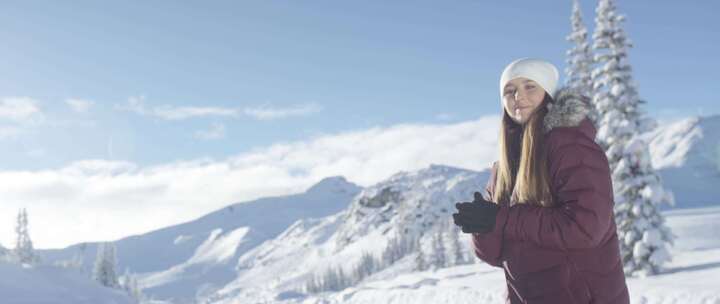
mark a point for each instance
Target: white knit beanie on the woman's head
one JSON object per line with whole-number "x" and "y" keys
{"x": 538, "y": 70}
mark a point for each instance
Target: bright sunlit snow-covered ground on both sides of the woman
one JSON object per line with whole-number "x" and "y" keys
{"x": 692, "y": 277}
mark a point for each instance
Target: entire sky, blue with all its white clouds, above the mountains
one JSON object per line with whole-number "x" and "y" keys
{"x": 117, "y": 118}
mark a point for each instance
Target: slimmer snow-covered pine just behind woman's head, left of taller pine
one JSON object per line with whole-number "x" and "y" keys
{"x": 579, "y": 58}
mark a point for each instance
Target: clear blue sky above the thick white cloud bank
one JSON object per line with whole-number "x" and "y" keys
{"x": 350, "y": 65}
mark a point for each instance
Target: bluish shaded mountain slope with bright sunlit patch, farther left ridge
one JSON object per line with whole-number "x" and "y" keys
{"x": 181, "y": 261}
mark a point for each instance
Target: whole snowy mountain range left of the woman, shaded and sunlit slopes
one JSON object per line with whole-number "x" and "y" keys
{"x": 275, "y": 244}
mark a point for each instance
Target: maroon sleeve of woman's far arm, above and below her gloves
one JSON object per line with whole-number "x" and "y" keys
{"x": 488, "y": 246}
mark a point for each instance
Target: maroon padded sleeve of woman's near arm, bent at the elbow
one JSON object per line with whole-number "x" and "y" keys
{"x": 583, "y": 196}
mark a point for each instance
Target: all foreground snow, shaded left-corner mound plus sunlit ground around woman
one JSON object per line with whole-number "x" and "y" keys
{"x": 692, "y": 277}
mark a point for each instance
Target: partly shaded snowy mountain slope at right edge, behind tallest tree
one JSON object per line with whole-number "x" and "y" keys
{"x": 687, "y": 155}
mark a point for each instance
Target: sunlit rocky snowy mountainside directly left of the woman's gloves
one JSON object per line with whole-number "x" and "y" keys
{"x": 416, "y": 203}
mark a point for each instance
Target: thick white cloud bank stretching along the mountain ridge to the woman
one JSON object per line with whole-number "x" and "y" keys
{"x": 102, "y": 200}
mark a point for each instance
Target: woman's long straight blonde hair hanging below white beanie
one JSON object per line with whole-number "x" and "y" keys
{"x": 523, "y": 160}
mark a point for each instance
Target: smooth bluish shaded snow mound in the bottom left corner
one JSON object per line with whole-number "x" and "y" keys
{"x": 48, "y": 284}
